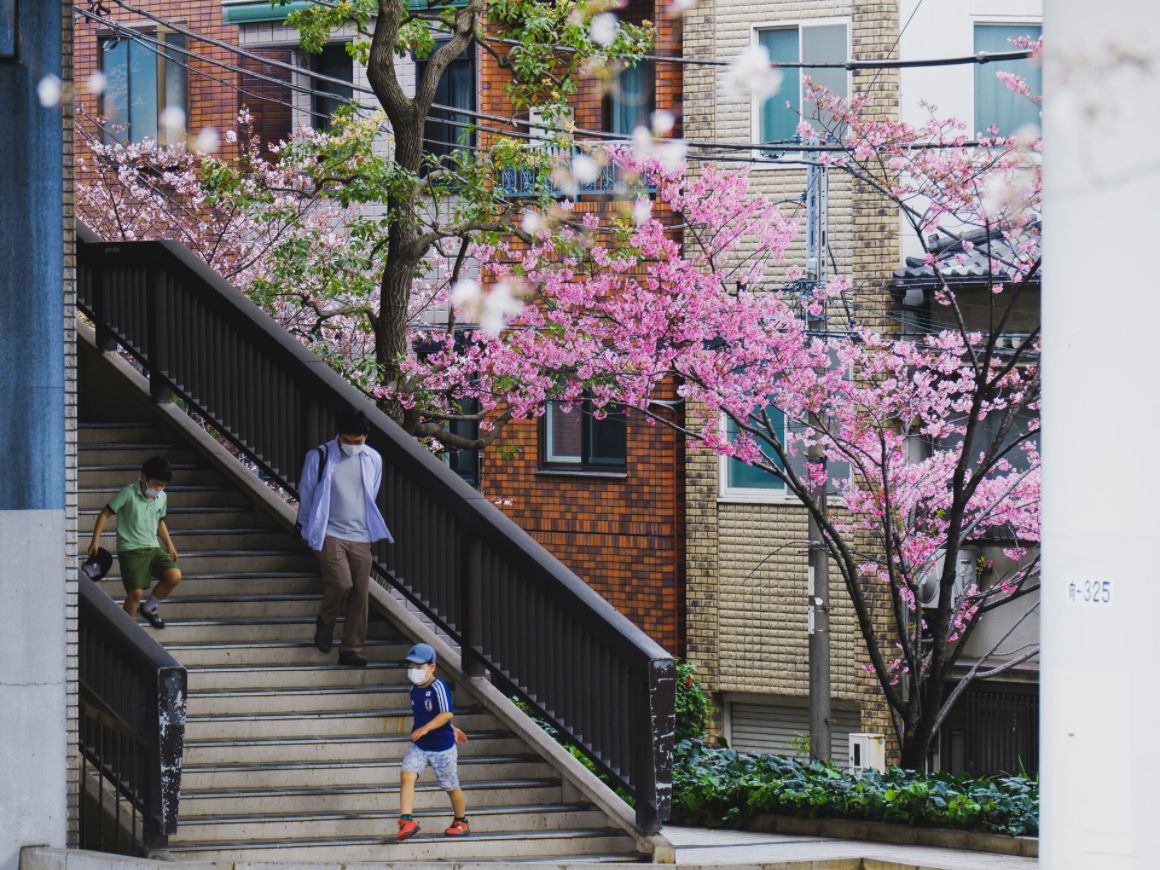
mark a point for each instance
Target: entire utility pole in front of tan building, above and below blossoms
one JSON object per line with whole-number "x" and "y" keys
{"x": 818, "y": 606}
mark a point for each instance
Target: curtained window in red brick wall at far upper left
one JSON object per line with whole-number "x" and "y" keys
{"x": 143, "y": 81}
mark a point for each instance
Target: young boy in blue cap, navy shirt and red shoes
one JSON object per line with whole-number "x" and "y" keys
{"x": 433, "y": 742}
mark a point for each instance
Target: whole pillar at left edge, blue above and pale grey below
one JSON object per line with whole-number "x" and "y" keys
{"x": 33, "y": 661}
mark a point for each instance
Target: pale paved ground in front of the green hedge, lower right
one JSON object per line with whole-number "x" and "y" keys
{"x": 709, "y": 849}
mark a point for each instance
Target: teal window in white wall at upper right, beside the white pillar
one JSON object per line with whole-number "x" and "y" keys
{"x": 996, "y": 105}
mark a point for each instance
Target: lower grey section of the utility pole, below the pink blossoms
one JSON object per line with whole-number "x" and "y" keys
{"x": 818, "y": 615}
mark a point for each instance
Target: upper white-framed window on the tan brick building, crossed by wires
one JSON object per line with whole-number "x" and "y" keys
{"x": 821, "y": 42}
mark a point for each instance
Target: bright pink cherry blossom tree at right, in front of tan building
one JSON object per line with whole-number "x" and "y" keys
{"x": 938, "y": 427}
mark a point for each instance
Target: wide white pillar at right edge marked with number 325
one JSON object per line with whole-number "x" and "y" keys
{"x": 1101, "y": 411}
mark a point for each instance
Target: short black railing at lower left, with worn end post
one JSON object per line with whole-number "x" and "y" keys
{"x": 133, "y": 727}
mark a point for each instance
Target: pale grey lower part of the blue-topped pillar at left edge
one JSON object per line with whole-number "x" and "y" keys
{"x": 33, "y": 710}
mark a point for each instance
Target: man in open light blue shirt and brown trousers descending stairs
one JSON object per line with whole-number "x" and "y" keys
{"x": 339, "y": 518}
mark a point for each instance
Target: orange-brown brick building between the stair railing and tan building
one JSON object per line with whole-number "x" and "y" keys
{"x": 606, "y": 497}
